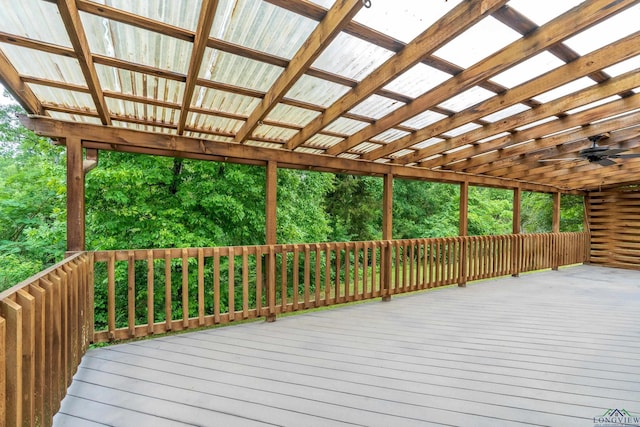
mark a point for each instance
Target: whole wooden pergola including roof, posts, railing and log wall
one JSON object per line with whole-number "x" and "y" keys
{"x": 500, "y": 93}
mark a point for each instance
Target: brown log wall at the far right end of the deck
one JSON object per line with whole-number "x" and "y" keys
{"x": 614, "y": 222}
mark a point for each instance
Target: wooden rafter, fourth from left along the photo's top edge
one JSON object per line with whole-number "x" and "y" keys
{"x": 448, "y": 27}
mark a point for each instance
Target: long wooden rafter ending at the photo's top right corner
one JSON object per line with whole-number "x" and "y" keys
{"x": 582, "y": 16}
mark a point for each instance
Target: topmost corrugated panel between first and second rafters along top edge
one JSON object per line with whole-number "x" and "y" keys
{"x": 179, "y": 13}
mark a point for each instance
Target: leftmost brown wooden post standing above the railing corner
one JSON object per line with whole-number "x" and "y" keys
{"x": 75, "y": 196}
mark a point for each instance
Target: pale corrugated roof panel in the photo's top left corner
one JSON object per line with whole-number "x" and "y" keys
{"x": 43, "y": 22}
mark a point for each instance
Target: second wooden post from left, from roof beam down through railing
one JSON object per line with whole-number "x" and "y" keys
{"x": 271, "y": 235}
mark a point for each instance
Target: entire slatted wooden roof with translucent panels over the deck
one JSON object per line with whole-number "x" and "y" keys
{"x": 472, "y": 90}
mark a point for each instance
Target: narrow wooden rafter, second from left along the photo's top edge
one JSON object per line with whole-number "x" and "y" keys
{"x": 207, "y": 14}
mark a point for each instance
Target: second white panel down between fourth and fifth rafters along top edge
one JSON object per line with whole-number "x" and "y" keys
{"x": 478, "y": 42}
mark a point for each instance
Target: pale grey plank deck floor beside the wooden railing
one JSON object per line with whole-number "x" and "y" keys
{"x": 554, "y": 348}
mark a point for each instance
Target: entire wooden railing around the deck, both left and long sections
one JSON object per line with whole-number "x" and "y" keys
{"x": 48, "y": 321}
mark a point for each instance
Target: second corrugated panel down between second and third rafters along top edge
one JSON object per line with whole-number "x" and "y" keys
{"x": 238, "y": 71}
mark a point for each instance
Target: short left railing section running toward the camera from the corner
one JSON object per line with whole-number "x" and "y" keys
{"x": 45, "y": 329}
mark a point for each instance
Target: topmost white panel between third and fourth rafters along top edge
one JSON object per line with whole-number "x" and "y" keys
{"x": 404, "y": 20}
